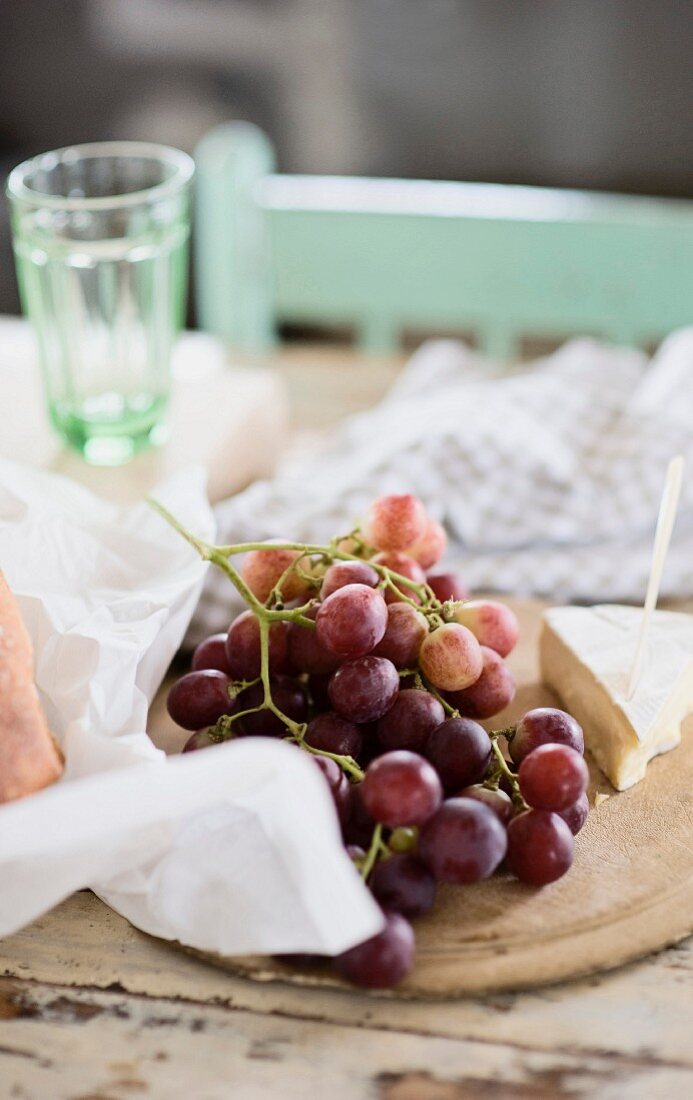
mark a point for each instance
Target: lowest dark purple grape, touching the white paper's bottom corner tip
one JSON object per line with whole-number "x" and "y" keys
{"x": 383, "y": 961}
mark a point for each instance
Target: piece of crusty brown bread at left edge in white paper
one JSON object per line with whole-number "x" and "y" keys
{"x": 30, "y": 758}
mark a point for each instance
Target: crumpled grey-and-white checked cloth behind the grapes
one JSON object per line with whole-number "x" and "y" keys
{"x": 548, "y": 479}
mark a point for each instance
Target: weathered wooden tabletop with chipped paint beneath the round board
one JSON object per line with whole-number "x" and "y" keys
{"x": 91, "y": 1009}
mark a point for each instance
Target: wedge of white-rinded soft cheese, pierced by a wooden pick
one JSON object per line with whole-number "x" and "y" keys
{"x": 587, "y": 655}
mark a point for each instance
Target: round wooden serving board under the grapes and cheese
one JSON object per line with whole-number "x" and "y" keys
{"x": 629, "y": 894}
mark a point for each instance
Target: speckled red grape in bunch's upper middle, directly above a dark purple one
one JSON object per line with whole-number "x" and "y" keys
{"x": 353, "y": 621}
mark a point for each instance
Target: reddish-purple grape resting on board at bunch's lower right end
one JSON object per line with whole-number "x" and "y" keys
{"x": 541, "y": 848}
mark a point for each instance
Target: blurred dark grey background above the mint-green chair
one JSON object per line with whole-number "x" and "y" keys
{"x": 563, "y": 93}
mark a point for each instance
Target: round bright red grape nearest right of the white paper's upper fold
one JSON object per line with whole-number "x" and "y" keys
{"x": 401, "y": 789}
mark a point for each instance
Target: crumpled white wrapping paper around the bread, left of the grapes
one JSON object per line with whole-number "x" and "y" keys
{"x": 235, "y": 850}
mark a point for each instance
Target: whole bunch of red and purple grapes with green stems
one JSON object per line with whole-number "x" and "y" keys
{"x": 382, "y": 670}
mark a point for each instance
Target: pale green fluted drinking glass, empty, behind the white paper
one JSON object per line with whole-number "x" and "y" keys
{"x": 101, "y": 237}
